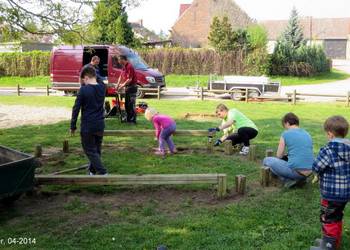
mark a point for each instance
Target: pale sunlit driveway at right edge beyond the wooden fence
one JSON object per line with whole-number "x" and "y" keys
{"x": 333, "y": 88}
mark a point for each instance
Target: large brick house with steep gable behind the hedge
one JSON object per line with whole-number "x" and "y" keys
{"x": 193, "y": 24}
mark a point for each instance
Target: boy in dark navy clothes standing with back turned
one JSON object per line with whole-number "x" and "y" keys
{"x": 90, "y": 100}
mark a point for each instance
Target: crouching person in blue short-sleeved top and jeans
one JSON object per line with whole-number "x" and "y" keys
{"x": 297, "y": 165}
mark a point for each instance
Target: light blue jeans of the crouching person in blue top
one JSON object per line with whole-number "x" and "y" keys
{"x": 280, "y": 168}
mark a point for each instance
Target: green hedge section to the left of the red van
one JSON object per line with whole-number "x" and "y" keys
{"x": 34, "y": 63}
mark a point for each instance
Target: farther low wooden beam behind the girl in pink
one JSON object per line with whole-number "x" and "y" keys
{"x": 149, "y": 132}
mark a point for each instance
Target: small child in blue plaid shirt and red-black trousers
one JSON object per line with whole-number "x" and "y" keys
{"x": 333, "y": 167}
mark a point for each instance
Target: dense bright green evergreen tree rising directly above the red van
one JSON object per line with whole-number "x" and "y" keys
{"x": 110, "y": 24}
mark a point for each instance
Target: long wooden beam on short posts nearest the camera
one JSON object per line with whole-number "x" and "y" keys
{"x": 156, "y": 179}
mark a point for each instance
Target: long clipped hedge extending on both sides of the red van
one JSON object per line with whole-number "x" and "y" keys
{"x": 172, "y": 60}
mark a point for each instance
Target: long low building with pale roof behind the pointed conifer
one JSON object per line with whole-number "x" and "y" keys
{"x": 332, "y": 33}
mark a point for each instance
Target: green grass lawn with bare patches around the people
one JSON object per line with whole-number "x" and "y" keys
{"x": 181, "y": 217}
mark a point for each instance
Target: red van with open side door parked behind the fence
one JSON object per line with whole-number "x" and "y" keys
{"x": 67, "y": 61}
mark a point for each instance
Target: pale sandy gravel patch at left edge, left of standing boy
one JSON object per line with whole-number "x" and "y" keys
{"x": 19, "y": 115}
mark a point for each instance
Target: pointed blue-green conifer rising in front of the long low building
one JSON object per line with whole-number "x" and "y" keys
{"x": 293, "y": 34}
